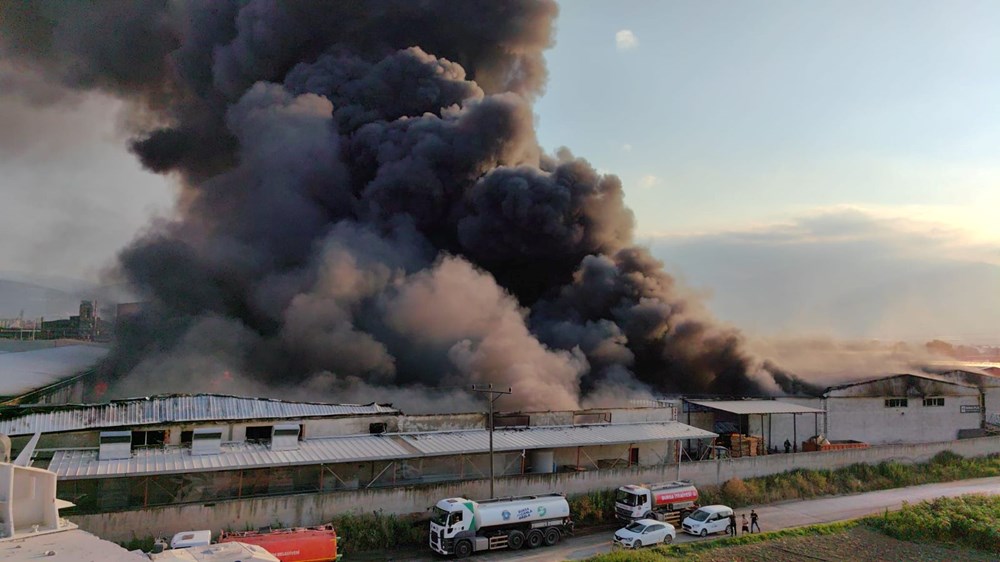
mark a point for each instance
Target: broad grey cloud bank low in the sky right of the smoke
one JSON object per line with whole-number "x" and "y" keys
{"x": 845, "y": 272}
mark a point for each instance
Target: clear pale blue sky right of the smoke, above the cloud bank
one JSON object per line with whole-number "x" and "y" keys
{"x": 728, "y": 114}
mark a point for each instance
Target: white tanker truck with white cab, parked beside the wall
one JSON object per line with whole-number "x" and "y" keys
{"x": 460, "y": 526}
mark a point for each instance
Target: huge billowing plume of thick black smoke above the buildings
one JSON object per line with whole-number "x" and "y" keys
{"x": 364, "y": 200}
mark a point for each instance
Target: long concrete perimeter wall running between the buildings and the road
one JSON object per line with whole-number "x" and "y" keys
{"x": 310, "y": 509}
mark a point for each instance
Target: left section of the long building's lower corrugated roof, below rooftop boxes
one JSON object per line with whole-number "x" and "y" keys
{"x": 77, "y": 463}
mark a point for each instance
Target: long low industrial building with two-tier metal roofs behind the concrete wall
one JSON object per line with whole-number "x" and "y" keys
{"x": 164, "y": 450}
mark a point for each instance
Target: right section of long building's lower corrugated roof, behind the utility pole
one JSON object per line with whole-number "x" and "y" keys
{"x": 477, "y": 441}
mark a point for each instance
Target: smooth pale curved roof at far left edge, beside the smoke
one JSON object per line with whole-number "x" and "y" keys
{"x": 24, "y": 371}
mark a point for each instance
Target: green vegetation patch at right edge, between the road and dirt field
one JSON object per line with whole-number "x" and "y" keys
{"x": 969, "y": 521}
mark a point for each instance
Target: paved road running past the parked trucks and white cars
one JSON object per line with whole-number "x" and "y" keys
{"x": 772, "y": 517}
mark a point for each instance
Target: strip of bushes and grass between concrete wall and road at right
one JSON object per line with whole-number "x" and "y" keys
{"x": 803, "y": 484}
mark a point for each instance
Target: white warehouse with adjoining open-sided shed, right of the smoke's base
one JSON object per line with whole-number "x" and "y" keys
{"x": 903, "y": 408}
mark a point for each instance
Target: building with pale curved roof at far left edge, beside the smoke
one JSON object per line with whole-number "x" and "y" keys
{"x": 50, "y": 371}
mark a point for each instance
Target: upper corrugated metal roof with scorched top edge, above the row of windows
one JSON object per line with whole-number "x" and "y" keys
{"x": 172, "y": 408}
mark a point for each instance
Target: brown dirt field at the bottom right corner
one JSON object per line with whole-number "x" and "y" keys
{"x": 857, "y": 544}
